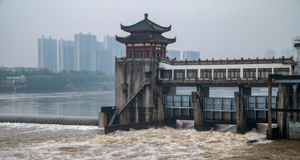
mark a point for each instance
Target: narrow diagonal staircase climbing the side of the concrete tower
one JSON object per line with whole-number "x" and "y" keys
{"x": 129, "y": 99}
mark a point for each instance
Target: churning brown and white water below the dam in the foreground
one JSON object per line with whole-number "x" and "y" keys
{"x": 40, "y": 141}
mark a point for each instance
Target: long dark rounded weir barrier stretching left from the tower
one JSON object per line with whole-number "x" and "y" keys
{"x": 86, "y": 121}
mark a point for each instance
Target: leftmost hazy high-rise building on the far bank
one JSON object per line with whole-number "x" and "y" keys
{"x": 47, "y": 49}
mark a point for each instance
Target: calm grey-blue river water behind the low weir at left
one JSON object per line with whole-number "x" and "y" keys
{"x": 86, "y": 104}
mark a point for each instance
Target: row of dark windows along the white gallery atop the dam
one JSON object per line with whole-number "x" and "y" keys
{"x": 232, "y": 73}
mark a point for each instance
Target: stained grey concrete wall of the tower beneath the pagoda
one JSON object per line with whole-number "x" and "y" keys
{"x": 130, "y": 74}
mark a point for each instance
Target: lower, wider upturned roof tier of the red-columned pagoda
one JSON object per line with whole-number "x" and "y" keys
{"x": 148, "y": 38}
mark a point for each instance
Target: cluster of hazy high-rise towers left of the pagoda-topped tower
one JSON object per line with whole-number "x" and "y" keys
{"x": 84, "y": 53}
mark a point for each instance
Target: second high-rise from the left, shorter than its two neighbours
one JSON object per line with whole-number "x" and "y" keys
{"x": 66, "y": 55}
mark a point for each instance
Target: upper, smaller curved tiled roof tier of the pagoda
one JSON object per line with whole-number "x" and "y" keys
{"x": 145, "y": 25}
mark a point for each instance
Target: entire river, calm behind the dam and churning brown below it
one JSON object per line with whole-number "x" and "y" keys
{"x": 42, "y": 141}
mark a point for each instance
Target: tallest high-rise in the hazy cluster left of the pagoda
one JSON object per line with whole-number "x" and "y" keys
{"x": 83, "y": 45}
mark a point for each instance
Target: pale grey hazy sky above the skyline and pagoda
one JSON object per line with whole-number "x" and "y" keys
{"x": 217, "y": 28}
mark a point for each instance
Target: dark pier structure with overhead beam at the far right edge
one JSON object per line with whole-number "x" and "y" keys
{"x": 287, "y": 104}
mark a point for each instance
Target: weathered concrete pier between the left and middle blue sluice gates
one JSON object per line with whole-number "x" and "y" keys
{"x": 198, "y": 111}
